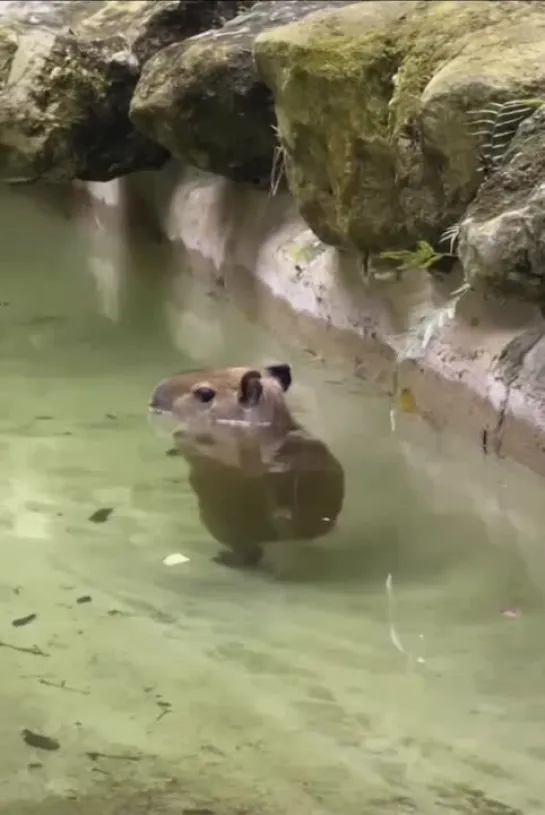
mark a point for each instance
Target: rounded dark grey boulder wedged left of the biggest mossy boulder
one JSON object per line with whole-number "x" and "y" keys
{"x": 203, "y": 100}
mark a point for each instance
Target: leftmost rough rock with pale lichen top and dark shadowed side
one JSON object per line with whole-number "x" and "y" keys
{"x": 64, "y": 108}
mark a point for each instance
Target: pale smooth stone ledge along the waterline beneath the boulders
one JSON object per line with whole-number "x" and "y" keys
{"x": 239, "y": 234}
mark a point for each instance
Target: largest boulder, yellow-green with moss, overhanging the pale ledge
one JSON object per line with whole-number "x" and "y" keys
{"x": 374, "y": 104}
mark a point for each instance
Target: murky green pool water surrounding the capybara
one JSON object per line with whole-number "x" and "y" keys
{"x": 306, "y": 688}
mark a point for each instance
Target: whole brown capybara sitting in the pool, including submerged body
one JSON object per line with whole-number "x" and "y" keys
{"x": 258, "y": 475}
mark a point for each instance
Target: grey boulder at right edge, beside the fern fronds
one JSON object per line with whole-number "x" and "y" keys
{"x": 502, "y": 236}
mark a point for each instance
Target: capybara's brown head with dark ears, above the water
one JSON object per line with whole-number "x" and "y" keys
{"x": 226, "y": 396}
